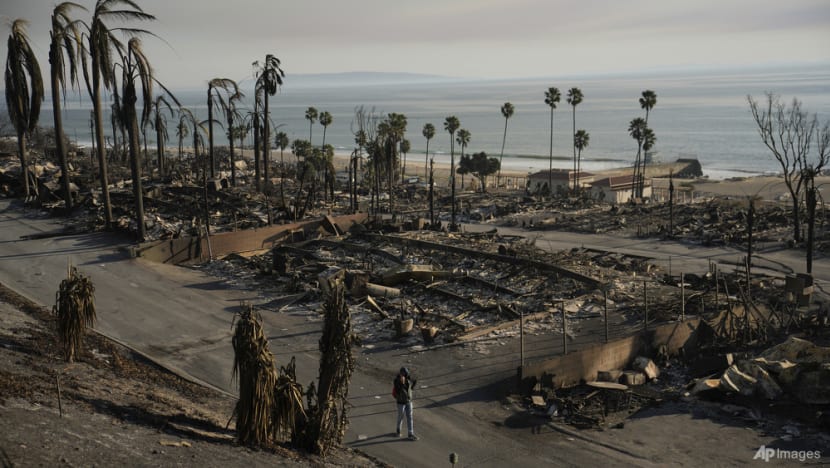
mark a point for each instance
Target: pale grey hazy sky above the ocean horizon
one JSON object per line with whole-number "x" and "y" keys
{"x": 468, "y": 38}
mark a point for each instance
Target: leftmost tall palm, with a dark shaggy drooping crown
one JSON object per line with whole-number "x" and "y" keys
{"x": 24, "y": 91}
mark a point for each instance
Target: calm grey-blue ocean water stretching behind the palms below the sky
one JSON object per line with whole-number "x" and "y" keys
{"x": 698, "y": 115}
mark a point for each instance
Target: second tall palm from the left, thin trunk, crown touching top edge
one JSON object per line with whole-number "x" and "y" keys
{"x": 65, "y": 48}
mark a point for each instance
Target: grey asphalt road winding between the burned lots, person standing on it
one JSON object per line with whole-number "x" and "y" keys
{"x": 182, "y": 319}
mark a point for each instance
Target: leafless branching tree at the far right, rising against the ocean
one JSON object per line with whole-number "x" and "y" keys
{"x": 788, "y": 132}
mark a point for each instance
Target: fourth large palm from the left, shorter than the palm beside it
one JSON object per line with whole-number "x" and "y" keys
{"x": 135, "y": 68}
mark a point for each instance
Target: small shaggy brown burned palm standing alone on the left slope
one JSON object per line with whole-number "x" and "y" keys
{"x": 75, "y": 310}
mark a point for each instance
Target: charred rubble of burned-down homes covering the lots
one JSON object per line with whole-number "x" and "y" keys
{"x": 415, "y": 284}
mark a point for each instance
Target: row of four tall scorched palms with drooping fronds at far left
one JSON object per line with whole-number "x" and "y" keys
{"x": 73, "y": 45}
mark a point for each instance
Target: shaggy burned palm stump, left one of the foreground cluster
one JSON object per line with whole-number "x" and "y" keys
{"x": 255, "y": 369}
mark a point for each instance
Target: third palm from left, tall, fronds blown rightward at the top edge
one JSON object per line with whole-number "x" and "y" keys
{"x": 102, "y": 42}
